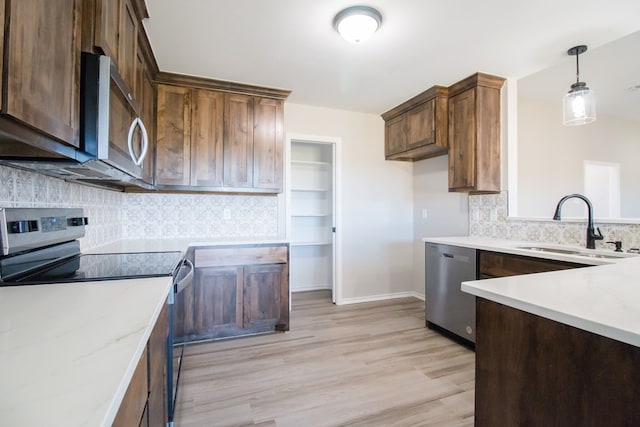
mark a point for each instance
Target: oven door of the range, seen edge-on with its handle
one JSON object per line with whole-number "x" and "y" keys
{"x": 175, "y": 351}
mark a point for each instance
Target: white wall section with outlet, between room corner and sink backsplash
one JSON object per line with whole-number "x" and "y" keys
{"x": 447, "y": 214}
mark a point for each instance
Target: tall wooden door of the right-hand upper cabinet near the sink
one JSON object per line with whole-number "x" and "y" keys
{"x": 462, "y": 141}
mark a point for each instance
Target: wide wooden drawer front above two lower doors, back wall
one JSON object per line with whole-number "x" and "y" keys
{"x": 234, "y": 255}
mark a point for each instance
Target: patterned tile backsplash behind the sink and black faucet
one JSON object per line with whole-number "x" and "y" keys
{"x": 488, "y": 217}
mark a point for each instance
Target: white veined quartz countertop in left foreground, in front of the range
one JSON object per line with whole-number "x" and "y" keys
{"x": 68, "y": 351}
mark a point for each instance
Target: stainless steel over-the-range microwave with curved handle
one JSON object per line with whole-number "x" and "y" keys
{"x": 113, "y": 138}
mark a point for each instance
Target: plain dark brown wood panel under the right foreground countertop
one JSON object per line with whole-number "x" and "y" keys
{"x": 532, "y": 371}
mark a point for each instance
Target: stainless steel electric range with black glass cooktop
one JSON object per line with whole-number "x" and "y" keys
{"x": 40, "y": 246}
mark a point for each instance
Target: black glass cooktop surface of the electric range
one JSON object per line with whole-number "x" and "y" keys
{"x": 93, "y": 267}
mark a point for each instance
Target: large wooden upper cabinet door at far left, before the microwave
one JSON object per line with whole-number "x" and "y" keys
{"x": 42, "y": 66}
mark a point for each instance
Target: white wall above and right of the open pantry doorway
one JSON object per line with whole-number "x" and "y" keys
{"x": 377, "y": 202}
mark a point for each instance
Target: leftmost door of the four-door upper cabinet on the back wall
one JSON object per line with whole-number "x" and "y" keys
{"x": 173, "y": 136}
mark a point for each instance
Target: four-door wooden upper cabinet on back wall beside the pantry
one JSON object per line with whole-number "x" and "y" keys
{"x": 219, "y": 136}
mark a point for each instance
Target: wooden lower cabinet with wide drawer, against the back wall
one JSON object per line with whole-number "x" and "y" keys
{"x": 237, "y": 290}
